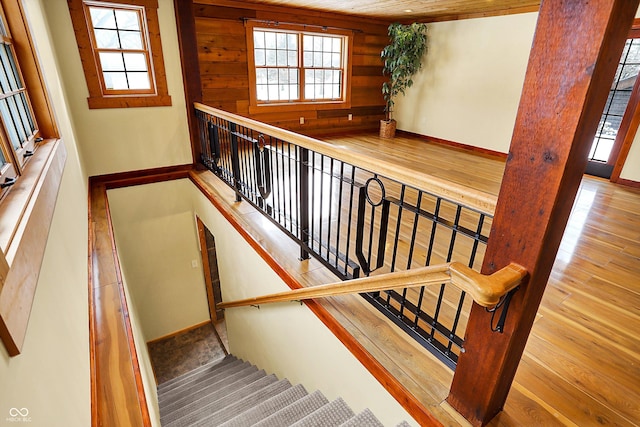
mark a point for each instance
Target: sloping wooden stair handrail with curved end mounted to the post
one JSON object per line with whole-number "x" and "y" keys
{"x": 485, "y": 290}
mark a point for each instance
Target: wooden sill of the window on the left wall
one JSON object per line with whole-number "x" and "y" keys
{"x": 25, "y": 219}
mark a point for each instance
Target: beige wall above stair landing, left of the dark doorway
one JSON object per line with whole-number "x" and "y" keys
{"x": 157, "y": 240}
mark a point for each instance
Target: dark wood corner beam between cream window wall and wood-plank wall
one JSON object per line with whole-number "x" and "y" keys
{"x": 187, "y": 41}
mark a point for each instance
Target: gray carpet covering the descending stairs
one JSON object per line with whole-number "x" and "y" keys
{"x": 233, "y": 393}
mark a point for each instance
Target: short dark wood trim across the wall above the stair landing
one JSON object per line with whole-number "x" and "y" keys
{"x": 141, "y": 177}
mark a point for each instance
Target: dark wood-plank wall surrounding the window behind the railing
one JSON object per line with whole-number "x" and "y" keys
{"x": 224, "y": 74}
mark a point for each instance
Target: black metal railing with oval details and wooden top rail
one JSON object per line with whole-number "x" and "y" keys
{"x": 357, "y": 216}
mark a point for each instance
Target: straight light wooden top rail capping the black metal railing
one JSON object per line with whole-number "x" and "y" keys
{"x": 475, "y": 199}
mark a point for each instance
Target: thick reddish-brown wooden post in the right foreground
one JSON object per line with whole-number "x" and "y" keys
{"x": 573, "y": 59}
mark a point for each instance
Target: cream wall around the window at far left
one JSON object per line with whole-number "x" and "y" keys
{"x": 51, "y": 377}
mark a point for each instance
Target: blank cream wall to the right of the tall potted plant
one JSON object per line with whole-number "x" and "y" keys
{"x": 469, "y": 88}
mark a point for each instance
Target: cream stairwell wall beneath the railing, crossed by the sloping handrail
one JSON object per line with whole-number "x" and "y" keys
{"x": 287, "y": 339}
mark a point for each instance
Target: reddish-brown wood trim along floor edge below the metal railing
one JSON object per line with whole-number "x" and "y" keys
{"x": 416, "y": 409}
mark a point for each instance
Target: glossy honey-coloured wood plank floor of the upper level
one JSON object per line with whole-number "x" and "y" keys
{"x": 582, "y": 362}
